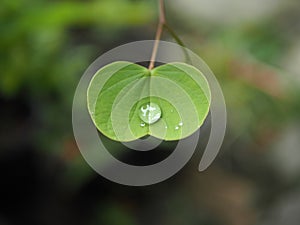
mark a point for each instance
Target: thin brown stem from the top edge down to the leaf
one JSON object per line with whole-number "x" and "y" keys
{"x": 160, "y": 27}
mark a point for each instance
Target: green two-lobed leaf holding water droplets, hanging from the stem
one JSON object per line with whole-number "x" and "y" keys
{"x": 127, "y": 101}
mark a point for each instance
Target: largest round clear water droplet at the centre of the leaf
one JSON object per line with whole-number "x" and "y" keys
{"x": 150, "y": 113}
